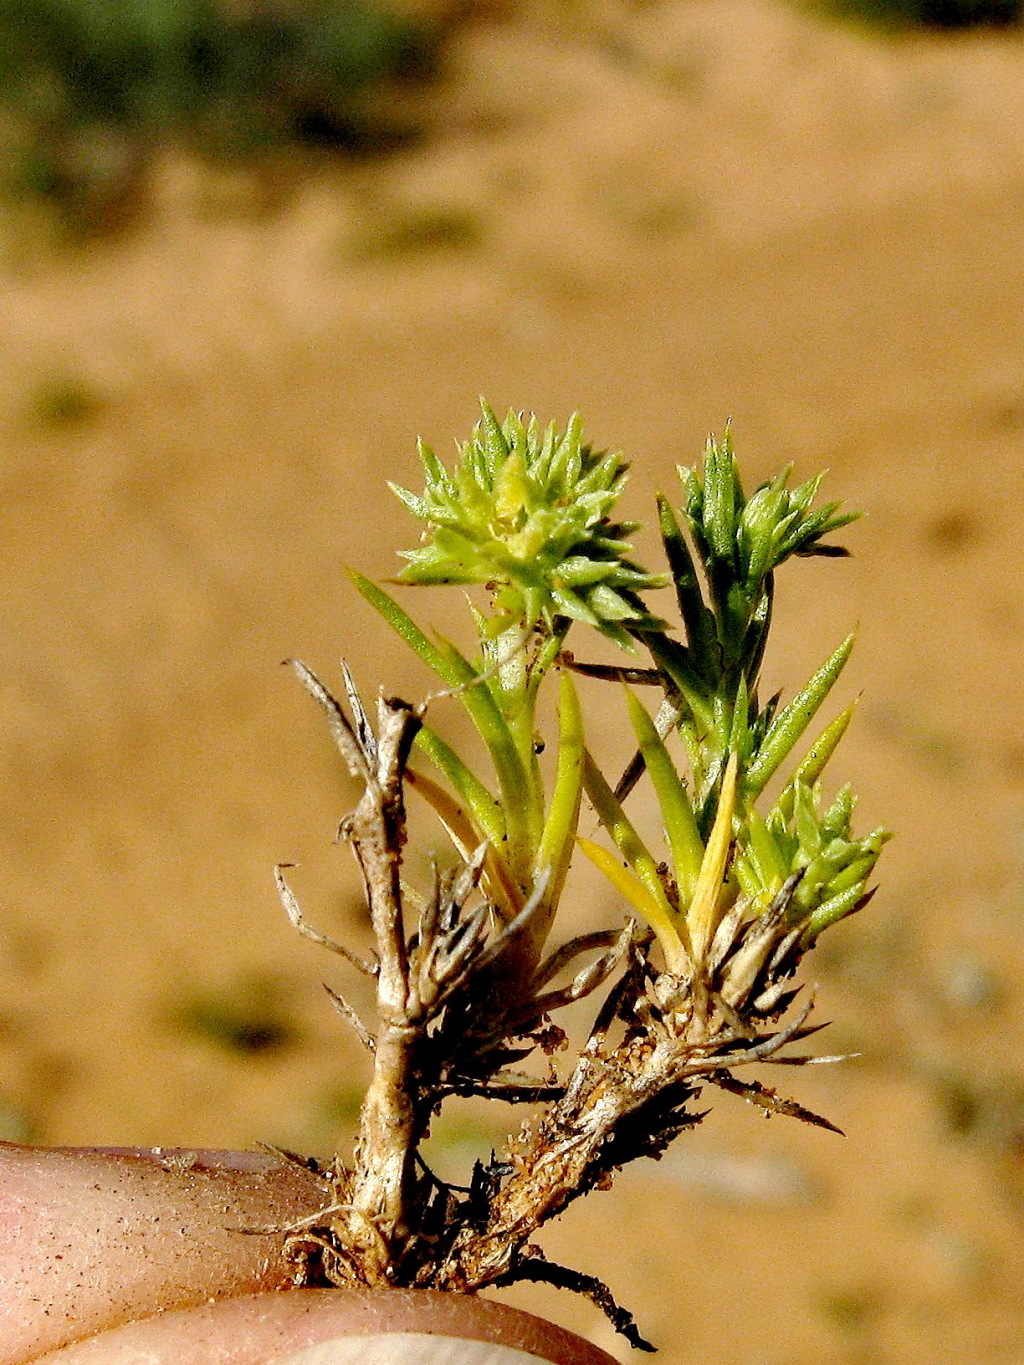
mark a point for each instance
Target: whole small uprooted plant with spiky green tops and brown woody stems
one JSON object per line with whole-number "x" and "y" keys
{"x": 701, "y": 979}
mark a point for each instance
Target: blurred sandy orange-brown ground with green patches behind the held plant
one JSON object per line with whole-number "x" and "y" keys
{"x": 248, "y": 253}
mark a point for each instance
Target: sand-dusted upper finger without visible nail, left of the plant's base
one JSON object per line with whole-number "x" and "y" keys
{"x": 92, "y": 1239}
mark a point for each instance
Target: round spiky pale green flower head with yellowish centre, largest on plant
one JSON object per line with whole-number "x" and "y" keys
{"x": 528, "y": 514}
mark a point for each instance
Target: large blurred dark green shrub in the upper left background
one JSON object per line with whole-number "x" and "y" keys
{"x": 92, "y": 89}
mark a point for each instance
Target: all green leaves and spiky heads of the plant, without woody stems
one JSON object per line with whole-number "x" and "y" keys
{"x": 528, "y": 515}
